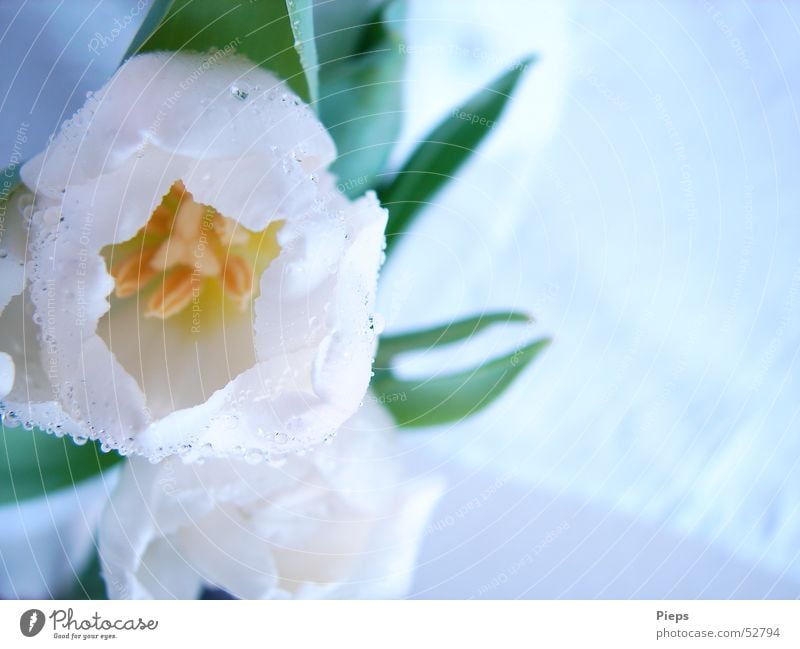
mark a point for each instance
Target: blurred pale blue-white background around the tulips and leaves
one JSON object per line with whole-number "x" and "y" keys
{"x": 640, "y": 200}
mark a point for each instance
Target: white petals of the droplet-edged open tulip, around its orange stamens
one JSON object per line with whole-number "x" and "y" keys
{"x": 279, "y": 378}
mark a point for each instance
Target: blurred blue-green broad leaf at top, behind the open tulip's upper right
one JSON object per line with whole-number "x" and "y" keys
{"x": 361, "y": 100}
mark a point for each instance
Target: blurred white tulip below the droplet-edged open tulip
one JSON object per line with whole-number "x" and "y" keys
{"x": 340, "y": 522}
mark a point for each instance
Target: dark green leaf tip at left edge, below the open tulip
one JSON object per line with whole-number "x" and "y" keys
{"x": 33, "y": 463}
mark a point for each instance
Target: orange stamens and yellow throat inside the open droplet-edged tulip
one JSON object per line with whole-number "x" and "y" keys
{"x": 189, "y": 247}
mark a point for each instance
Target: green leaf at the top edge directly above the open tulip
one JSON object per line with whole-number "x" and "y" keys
{"x": 259, "y": 29}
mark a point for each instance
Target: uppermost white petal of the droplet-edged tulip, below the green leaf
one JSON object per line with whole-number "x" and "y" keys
{"x": 182, "y": 103}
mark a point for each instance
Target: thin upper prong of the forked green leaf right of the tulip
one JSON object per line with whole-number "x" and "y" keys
{"x": 451, "y": 332}
